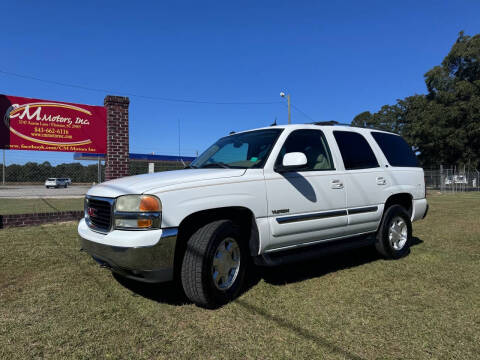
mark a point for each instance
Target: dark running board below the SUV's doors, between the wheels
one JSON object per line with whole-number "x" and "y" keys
{"x": 303, "y": 253}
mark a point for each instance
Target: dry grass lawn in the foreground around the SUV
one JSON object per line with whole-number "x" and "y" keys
{"x": 56, "y": 303}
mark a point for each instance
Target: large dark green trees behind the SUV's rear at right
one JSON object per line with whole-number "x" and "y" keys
{"x": 443, "y": 125}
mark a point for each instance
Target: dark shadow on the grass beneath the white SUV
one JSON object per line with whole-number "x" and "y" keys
{"x": 172, "y": 292}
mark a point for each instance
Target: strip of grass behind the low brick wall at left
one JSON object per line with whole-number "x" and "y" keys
{"x": 28, "y": 206}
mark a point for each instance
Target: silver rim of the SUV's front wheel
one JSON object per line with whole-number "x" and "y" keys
{"x": 226, "y": 264}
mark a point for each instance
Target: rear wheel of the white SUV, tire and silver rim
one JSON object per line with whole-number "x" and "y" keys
{"x": 395, "y": 233}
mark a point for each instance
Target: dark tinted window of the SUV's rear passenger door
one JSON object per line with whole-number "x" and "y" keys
{"x": 355, "y": 150}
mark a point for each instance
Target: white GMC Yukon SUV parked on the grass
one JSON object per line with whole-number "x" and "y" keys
{"x": 274, "y": 195}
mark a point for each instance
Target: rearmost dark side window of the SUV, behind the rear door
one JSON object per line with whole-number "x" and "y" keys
{"x": 396, "y": 150}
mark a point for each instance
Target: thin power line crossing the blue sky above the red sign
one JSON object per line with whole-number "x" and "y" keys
{"x": 157, "y": 98}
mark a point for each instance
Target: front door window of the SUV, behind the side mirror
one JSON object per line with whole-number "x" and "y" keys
{"x": 313, "y": 144}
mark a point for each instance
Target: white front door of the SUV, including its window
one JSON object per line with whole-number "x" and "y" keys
{"x": 309, "y": 204}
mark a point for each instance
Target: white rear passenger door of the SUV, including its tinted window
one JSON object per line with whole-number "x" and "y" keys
{"x": 367, "y": 183}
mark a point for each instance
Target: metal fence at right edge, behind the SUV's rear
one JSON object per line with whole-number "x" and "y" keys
{"x": 451, "y": 179}
